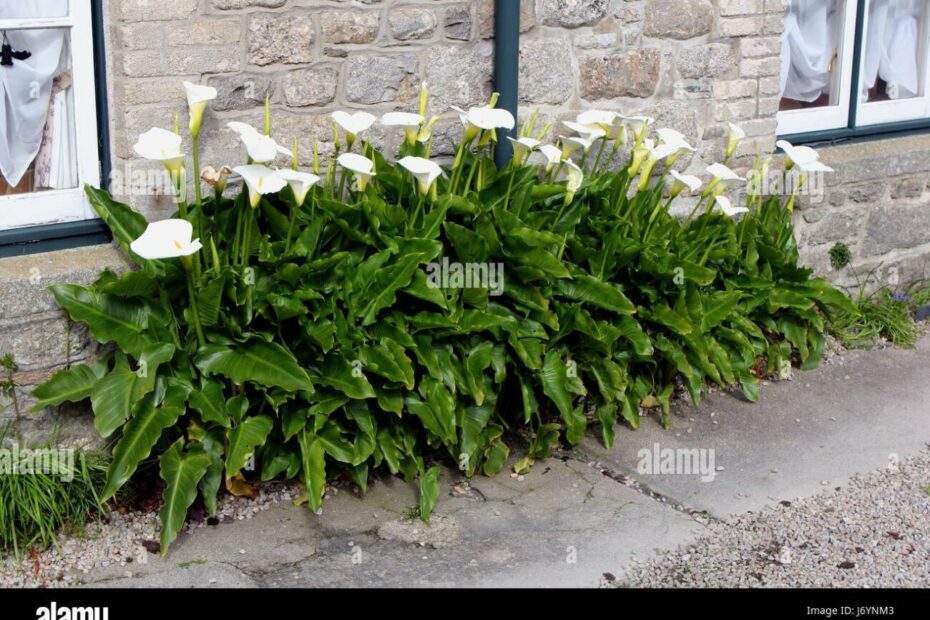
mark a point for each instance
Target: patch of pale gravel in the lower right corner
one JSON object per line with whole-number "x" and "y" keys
{"x": 873, "y": 532}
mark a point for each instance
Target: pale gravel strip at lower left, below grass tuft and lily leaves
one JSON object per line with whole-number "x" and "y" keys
{"x": 123, "y": 540}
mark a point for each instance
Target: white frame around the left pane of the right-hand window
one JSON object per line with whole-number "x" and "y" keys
{"x": 834, "y": 116}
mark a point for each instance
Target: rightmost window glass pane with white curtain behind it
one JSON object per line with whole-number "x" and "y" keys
{"x": 892, "y": 51}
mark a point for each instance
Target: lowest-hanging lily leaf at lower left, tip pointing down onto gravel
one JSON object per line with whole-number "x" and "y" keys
{"x": 181, "y": 472}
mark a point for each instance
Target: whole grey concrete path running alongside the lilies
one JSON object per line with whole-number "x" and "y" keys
{"x": 584, "y": 518}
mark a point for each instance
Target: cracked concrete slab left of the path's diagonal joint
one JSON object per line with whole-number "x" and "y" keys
{"x": 563, "y": 524}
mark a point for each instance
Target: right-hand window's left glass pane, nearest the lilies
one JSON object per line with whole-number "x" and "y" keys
{"x": 810, "y": 68}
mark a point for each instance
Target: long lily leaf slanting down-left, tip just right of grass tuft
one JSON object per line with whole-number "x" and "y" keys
{"x": 139, "y": 437}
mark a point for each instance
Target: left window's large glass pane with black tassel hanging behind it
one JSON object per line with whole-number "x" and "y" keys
{"x": 38, "y": 146}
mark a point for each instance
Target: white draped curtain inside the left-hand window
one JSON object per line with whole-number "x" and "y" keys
{"x": 25, "y": 87}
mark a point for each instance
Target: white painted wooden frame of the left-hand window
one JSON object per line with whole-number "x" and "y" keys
{"x": 64, "y": 205}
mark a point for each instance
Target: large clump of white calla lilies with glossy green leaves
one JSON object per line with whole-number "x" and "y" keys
{"x": 326, "y": 324}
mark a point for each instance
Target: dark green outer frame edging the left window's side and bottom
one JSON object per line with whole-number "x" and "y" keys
{"x": 34, "y": 239}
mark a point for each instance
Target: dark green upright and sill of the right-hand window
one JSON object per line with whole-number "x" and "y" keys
{"x": 851, "y": 133}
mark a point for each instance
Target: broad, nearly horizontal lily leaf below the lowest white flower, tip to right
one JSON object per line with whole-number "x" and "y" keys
{"x": 265, "y": 363}
